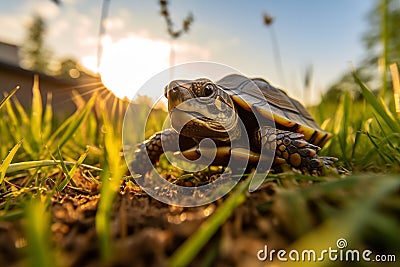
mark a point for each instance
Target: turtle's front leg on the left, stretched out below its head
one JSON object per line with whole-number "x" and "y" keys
{"x": 148, "y": 152}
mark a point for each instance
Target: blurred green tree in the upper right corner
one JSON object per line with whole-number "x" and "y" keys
{"x": 382, "y": 44}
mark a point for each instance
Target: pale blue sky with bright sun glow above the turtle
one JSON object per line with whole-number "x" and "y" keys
{"x": 322, "y": 35}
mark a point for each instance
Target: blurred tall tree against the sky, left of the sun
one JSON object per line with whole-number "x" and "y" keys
{"x": 34, "y": 52}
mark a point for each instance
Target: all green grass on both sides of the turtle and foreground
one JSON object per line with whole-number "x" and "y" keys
{"x": 40, "y": 158}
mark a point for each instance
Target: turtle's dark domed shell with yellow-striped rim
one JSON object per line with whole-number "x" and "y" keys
{"x": 287, "y": 113}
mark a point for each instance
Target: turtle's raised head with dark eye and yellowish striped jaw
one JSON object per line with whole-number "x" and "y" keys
{"x": 200, "y": 108}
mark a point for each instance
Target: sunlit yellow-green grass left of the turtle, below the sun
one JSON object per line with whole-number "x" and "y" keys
{"x": 36, "y": 152}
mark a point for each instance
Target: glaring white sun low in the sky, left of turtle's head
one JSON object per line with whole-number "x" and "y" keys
{"x": 128, "y": 63}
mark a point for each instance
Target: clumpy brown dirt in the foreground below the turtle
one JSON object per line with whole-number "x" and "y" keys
{"x": 145, "y": 232}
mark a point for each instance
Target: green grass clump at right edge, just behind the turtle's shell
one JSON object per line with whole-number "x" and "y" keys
{"x": 366, "y": 132}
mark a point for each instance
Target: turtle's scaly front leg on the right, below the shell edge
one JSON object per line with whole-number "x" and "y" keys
{"x": 296, "y": 151}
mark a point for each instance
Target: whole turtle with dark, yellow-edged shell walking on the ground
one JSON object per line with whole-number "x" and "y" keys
{"x": 214, "y": 110}
